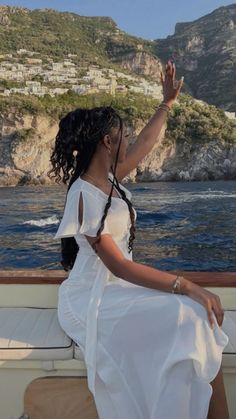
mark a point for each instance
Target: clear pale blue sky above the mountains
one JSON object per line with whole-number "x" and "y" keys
{"x": 148, "y": 19}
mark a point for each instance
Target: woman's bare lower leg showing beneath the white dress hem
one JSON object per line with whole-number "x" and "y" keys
{"x": 218, "y": 407}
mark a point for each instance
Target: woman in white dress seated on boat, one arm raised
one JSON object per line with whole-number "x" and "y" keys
{"x": 147, "y": 336}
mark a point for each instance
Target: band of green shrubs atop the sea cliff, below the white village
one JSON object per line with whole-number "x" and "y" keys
{"x": 189, "y": 120}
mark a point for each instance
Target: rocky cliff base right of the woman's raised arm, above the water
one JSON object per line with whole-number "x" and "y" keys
{"x": 185, "y": 162}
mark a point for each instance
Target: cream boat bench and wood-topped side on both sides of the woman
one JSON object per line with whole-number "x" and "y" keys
{"x": 33, "y": 345}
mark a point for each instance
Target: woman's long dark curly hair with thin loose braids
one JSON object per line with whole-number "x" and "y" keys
{"x": 81, "y": 130}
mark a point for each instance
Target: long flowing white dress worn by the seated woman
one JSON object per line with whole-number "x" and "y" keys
{"x": 149, "y": 354}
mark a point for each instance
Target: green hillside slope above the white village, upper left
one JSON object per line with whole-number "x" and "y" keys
{"x": 56, "y": 34}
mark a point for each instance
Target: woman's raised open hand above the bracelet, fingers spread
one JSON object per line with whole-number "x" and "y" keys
{"x": 171, "y": 87}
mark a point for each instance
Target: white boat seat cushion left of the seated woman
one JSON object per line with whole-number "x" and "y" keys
{"x": 32, "y": 333}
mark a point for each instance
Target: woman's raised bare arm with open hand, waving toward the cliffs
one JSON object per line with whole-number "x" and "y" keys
{"x": 151, "y": 132}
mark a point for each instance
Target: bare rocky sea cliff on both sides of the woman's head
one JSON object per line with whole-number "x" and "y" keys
{"x": 26, "y": 144}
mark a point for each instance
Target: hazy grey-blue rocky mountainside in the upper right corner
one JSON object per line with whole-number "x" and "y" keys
{"x": 205, "y": 53}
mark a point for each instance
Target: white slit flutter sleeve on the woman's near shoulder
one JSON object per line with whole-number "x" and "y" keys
{"x": 93, "y": 210}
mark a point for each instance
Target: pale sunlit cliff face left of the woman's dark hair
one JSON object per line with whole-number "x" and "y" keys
{"x": 25, "y": 147}
